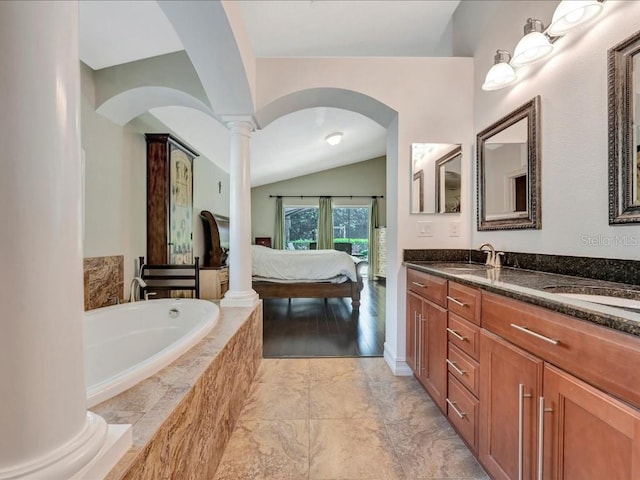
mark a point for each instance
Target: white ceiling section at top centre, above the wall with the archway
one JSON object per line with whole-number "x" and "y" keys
{"x": 347, "y": 28}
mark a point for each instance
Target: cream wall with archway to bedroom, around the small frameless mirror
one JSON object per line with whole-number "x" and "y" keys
{"x": 433, "y": 98}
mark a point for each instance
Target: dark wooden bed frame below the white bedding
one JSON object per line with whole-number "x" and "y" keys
{"x": 314, "y": 290}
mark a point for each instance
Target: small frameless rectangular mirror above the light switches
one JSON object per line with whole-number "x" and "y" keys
{"x": 436, "y": 175}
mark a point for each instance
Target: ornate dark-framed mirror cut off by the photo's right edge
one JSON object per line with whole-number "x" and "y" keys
{"x": 624, "y": 131}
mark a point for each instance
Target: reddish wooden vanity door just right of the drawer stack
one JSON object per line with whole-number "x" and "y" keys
{"x": 510, "y": 384}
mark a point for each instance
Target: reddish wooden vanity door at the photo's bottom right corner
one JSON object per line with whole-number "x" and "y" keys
{"x": 588, "y": 434}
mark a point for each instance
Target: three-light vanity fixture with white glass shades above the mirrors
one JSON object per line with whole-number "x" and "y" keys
{"x": 537, "y": 42}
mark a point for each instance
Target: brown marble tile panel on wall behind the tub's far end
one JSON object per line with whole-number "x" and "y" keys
{"x": 103, "y": 279}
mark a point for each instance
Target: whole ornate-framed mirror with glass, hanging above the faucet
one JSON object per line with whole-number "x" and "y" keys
{"x": 509, "y": 171}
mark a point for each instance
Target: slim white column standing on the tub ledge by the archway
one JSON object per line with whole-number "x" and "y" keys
{"x": 240, "y": 293}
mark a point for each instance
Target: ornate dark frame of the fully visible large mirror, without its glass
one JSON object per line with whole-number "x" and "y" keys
{"x": 531, "y": 112}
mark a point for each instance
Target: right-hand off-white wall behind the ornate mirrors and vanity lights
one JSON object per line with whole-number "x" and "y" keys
{"x": 573, "y": 89}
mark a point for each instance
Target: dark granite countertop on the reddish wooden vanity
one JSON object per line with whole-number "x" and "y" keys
{"x": 543, "y": 289}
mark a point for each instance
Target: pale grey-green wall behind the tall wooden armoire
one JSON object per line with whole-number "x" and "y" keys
{"x": 115, "y": 184}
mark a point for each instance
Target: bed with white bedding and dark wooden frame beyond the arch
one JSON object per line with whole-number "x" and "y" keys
{"x": 306, "y": 274}
